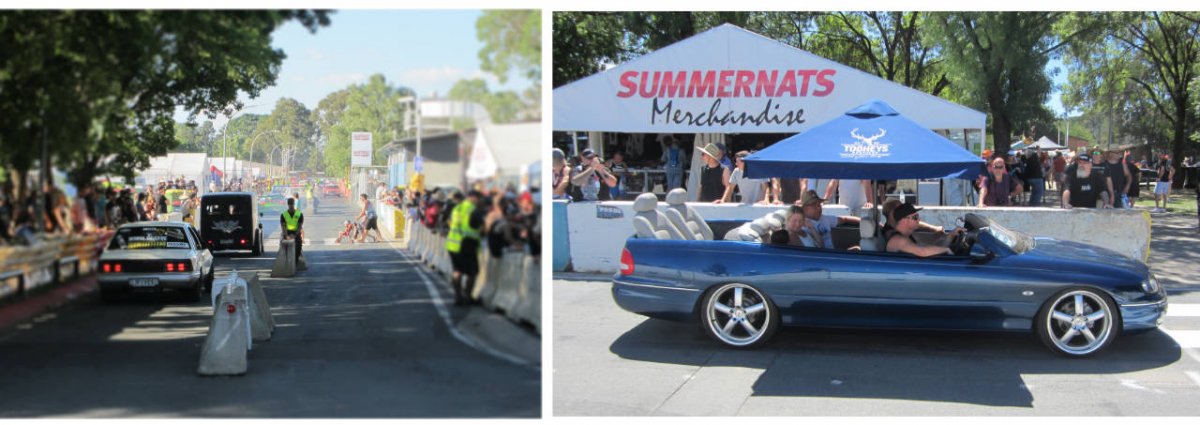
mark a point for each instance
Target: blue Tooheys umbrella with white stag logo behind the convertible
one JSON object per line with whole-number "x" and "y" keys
{"x": 872, "y": 142}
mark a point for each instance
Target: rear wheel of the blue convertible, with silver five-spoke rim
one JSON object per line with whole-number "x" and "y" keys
{"x": 748, "y": 321}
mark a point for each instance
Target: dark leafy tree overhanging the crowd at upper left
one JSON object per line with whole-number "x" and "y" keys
{"x": 128, "y": 73}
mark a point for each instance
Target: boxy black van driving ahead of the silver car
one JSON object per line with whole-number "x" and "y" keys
{"x": 230, "y": 222}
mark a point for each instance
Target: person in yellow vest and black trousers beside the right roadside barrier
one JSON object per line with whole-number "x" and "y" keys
{"x": 463, "y": 244}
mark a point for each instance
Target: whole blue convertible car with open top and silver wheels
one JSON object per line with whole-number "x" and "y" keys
{"x": 1077, "y": 298}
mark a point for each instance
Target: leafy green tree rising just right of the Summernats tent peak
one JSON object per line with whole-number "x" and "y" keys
{"x": 998, "y": 62}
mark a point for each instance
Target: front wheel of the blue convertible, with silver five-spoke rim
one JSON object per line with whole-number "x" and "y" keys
{"x": 1078, "y": 315}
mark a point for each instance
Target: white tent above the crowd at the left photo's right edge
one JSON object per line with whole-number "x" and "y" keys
{"x": 501, "y": 151}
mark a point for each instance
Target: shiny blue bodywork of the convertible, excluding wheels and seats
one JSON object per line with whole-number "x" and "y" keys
{"x": 814, "y": 288}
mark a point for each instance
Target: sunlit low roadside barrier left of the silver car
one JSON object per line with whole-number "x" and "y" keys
{"x": 56, "y": 260}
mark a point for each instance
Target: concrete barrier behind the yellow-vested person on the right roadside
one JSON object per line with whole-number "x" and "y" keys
{"x": 511, "y": 285}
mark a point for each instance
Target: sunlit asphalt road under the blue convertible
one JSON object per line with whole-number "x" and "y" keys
{"x": 609, "y": 362}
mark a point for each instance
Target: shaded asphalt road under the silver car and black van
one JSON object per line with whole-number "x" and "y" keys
{"x": 359, "y": 336}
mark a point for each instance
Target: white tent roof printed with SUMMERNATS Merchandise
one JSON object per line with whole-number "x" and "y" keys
{"x": 747, "y": 75}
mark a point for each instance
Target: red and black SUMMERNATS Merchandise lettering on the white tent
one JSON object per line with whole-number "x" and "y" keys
{"x": 700, "y": 99}
